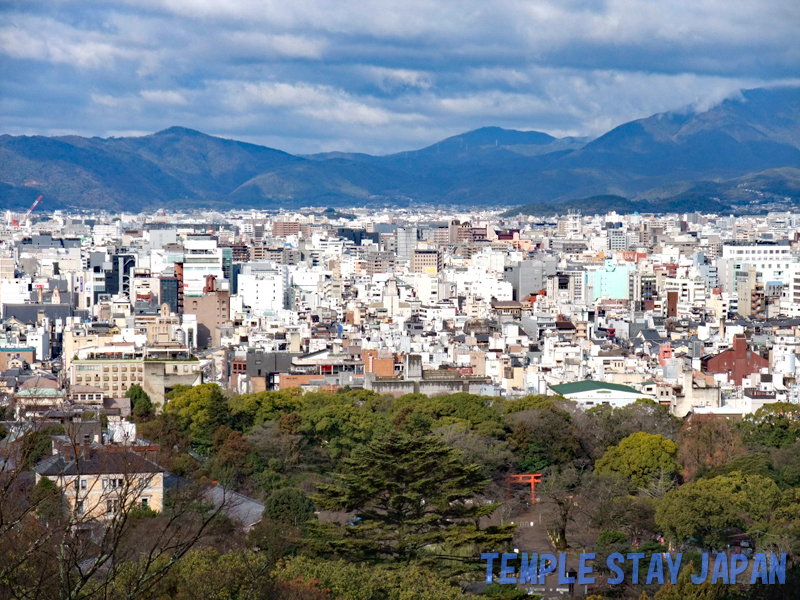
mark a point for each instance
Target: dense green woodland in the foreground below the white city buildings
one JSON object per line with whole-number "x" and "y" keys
{"x": 367, "y": 497}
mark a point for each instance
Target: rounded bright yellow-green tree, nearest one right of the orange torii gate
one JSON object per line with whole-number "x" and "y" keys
{"x": 642, "y": 458}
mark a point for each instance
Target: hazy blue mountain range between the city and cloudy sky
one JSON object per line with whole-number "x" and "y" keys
{"x": 743, "y": 151}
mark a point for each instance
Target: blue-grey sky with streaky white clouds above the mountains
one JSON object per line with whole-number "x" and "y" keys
{"x": 380, "y": 75}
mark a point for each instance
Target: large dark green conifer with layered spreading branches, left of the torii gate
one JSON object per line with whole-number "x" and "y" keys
{"x": 412, "y": 499}
